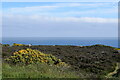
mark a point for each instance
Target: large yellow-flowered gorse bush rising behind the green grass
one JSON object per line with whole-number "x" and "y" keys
{"x": 29, "y": 56}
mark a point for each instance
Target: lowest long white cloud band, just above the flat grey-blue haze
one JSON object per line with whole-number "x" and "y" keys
{"x": 65, "y": 19}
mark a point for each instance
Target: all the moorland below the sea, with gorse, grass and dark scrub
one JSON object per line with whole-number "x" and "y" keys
{"x": 60, "y": 61}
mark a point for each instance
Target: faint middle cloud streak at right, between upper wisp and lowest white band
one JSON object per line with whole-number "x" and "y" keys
{"x": 89, "y": 12}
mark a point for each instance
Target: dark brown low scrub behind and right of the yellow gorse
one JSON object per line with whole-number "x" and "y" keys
{"x": 92, "y": 61}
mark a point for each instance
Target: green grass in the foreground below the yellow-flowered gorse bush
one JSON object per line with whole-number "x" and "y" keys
{"x": 36, "y": 71}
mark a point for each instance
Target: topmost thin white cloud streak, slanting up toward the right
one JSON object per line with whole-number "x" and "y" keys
{"x": 60, "y": 5}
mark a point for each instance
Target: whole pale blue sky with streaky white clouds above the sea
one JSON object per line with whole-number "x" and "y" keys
{"x": 60, "y": 19}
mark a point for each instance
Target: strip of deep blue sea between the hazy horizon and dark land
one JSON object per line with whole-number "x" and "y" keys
{"x": 74, "y": 41}
